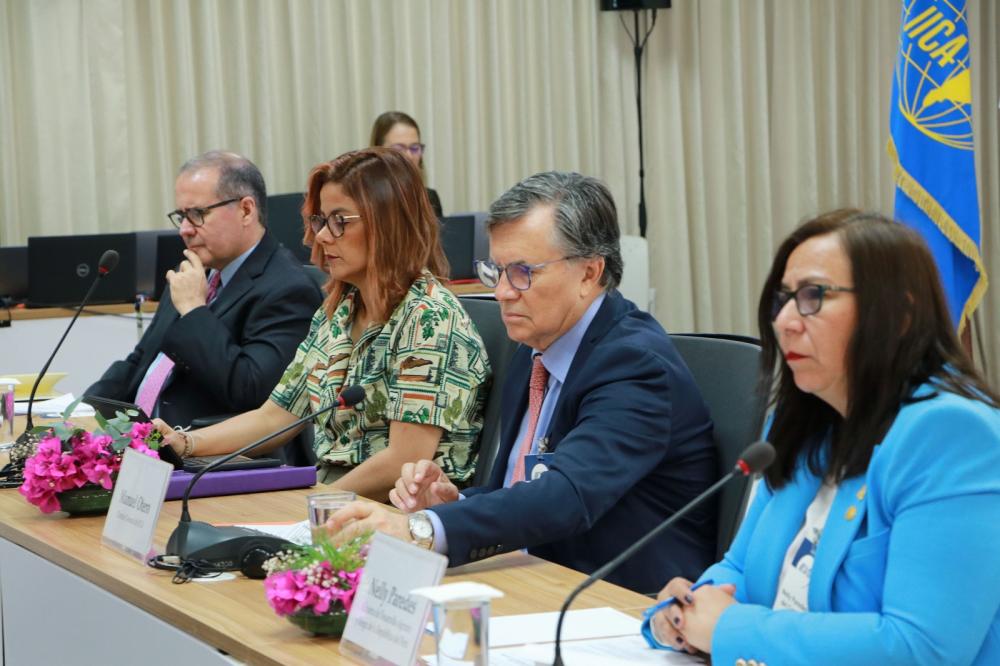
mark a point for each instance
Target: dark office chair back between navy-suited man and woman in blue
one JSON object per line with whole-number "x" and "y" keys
{"x": 725, "y": 368}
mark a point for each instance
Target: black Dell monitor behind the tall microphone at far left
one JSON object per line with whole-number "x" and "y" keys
{"x": 62, "y": 268}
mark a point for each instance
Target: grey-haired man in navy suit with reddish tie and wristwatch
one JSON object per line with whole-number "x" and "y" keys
{"x": 600, "y": 414}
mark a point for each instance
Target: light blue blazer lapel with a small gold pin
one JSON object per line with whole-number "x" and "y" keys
{"x": 846, "y": 516}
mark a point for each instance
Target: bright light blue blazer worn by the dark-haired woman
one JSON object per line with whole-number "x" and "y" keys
{"x": 907, "y": 570}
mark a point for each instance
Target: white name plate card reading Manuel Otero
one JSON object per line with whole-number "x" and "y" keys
{"x": 136, "y": 503}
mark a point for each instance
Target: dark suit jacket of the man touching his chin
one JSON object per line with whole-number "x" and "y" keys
{"x": 228, "y": 355}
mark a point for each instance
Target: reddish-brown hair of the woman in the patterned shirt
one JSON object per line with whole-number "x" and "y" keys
{"x": 403, "y": 234}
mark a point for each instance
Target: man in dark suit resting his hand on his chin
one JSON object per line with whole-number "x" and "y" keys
{"x": 219, "y": 342}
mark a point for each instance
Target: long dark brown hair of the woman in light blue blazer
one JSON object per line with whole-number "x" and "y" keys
{"x": 903, "y": 338}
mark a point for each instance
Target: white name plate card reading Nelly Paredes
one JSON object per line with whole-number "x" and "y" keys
{"x": 386, "y": 621}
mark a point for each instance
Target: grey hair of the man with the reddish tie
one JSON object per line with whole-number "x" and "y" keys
{"x": 586, "y": 221}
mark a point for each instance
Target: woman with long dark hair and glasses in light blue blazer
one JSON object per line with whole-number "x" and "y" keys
{"x": 875, "y": 536}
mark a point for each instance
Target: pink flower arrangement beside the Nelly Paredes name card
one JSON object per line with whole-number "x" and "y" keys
{"x": 314, "y": 586}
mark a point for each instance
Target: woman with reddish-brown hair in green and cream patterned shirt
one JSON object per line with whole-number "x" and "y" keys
{"x": 387, "y": 324}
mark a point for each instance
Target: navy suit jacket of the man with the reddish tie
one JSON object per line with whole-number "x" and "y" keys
{"x": 633, "y": 444}
